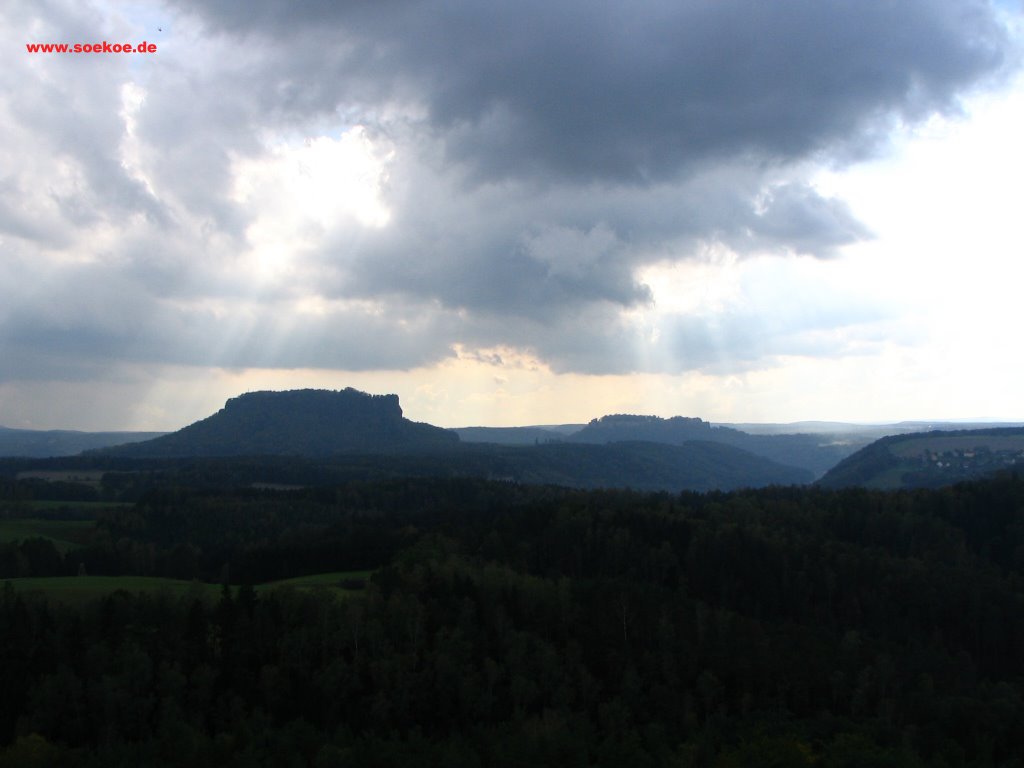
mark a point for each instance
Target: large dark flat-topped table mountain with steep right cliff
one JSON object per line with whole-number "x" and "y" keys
{"x": 304, "y": 422}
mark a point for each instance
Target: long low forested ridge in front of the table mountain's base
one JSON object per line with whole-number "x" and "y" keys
{"x": 642, "y": 466}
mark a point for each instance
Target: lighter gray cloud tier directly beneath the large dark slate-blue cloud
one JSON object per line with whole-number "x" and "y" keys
{"x": 517, "y": 252}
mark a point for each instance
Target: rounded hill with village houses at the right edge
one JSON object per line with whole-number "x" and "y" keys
{"x": 930, "y": 459}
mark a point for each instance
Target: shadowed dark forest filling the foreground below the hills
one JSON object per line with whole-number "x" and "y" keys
{"x": 508, "y": 625}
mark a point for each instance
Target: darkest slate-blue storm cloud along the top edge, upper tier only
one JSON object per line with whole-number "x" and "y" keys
{"x": 631, "y": 92}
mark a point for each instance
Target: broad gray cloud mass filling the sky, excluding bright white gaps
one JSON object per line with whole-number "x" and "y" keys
{"x": 543, "y": 155}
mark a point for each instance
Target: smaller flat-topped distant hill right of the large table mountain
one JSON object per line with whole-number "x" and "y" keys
{"x": 815, "y": 453}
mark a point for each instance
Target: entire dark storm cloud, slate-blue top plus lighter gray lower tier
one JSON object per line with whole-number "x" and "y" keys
{"x": 546, "y": 151}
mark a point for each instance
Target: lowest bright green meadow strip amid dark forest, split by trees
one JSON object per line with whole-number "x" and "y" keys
{"x": 77, "y": 590}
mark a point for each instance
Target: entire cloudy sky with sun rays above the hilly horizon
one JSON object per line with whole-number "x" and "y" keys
{"x": 514, "y": 214}
